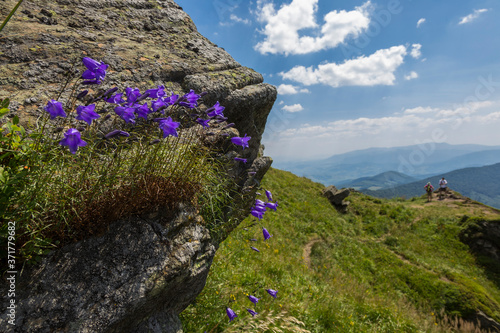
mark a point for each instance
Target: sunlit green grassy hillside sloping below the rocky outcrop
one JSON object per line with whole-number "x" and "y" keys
{"x": 385, "y": 266}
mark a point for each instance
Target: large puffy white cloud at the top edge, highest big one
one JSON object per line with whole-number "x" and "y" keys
{"x": 282, "y": 27}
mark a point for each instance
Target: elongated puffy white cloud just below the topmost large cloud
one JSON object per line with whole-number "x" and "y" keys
{"x": 376, "y": 69}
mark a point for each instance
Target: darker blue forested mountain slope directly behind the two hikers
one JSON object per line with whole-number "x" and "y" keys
{"x": 480, "y": 184}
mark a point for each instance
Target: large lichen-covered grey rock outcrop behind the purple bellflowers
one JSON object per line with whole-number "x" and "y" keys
{"x": 140, "y": 274}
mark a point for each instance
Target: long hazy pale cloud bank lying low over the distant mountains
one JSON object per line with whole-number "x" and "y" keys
{"x": 465, "y": 123}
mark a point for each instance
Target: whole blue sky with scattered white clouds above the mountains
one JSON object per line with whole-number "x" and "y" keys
{"x": 358, "y": 74}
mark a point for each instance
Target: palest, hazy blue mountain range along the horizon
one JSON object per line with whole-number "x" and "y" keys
{"x": 417, "y": 161}
